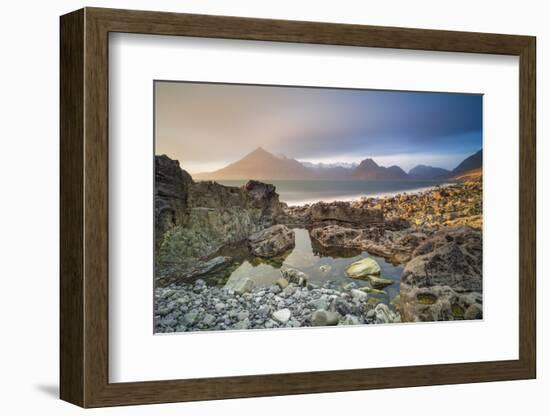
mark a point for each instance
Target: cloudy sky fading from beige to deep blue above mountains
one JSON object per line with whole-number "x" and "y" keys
{"x": 207, "y": 126}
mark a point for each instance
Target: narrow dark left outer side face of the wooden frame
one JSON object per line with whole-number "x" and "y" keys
{"x": 71, "y": 208}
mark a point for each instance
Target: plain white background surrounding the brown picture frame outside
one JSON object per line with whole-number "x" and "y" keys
{"x": 29, "y": 208}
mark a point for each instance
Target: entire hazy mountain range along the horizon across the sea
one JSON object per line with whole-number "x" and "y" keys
{"x": 263, "y": 165}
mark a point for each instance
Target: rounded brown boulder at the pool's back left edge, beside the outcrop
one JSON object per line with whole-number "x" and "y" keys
{"x": 272, "y": 241}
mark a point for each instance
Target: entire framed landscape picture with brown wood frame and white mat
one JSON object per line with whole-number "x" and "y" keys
{"x": 255, "y": 207}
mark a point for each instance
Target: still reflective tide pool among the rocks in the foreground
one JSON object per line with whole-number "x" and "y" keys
{"x": 307, "y": 257}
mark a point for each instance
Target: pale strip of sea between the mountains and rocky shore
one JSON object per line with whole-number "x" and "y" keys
{"x": 298, "y": 192}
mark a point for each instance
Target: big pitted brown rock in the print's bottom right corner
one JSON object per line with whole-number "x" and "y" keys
{"x": 443, "y": 281}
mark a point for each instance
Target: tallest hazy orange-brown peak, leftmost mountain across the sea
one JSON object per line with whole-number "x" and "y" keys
{"x": 261, "y": 165}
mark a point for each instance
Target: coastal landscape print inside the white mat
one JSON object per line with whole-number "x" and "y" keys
{"x": 290, "y": 207}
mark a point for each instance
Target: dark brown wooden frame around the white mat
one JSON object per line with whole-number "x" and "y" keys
{"x": 84, "y": 210}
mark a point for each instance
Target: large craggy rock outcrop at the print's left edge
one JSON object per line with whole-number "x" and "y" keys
{"x": 193, "y": 220}
